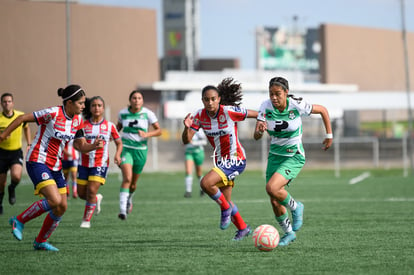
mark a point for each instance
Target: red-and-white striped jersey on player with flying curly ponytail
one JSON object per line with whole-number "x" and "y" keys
{"x": 221, "y": 131}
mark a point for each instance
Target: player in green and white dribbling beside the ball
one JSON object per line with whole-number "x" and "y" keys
{"x": 280, "y": 116}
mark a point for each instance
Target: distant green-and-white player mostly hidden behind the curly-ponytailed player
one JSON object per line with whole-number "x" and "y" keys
{"x": 194, "y": 156}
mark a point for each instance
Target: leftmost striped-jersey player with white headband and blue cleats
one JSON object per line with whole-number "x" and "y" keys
{"x": 57, "y": 126}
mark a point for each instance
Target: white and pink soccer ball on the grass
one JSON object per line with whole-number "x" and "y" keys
{"x": 265, "y": 237}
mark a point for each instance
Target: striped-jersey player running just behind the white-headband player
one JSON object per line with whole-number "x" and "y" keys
{"x": 93, "y": 166}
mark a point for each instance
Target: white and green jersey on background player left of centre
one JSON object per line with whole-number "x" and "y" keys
{"x": 131, "y": 123}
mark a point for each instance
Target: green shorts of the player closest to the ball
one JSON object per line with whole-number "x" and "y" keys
{"x": 288, "y": 167}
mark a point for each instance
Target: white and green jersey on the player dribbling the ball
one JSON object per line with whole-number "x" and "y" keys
{"x": 285, "y": 128}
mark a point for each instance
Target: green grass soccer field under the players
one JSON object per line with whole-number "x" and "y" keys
{"x": 363, "y": 228}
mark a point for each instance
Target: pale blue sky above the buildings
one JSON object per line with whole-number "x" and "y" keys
{"x": 227, "y": 26}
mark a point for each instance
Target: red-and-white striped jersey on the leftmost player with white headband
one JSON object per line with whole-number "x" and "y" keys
{"x": 55, "y": 130}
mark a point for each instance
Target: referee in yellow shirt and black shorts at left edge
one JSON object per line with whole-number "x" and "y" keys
{"x": 11, "y": 154}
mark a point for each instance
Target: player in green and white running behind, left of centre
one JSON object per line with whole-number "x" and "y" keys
{"x": 136, "y": 122}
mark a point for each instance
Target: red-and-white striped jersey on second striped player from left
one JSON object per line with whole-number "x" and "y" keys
{"x": 107, "y": 131}
